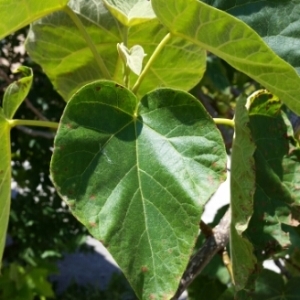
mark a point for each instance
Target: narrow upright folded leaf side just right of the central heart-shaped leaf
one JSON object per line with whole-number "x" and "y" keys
{"x": 242, "y": 187}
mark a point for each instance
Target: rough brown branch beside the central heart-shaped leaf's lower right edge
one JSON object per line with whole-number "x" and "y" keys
{"x": 213, "y": 244}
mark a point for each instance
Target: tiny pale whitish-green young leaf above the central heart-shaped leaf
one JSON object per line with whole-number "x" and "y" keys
{"x": 133, "y": 57}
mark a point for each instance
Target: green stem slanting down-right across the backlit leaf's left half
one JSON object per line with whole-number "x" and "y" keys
{"x": 88, "y": 40}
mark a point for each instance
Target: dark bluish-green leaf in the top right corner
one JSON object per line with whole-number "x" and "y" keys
{"x": 278, "y": 23}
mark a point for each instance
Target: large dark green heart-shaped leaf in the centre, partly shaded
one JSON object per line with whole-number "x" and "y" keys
{"x": 137, "y": 175}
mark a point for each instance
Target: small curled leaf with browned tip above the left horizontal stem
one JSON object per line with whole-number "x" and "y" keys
{"x": 17, "y": 92}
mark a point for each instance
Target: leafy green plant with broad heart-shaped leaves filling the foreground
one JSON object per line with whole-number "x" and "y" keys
{"x": 136, "y": 157}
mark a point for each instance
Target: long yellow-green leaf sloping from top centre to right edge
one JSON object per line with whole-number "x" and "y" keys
{"x": 233, "y": 41}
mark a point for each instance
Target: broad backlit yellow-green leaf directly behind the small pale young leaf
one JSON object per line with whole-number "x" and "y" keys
{"x": 56, "y": 43}
